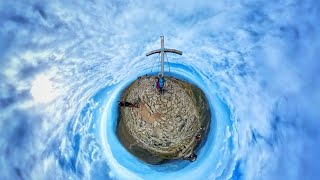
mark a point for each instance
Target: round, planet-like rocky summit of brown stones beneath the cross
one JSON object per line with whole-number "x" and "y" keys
{"x": 163, "y": 127}
